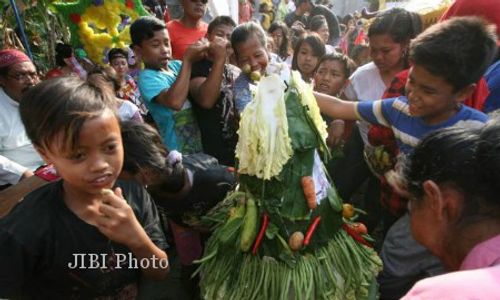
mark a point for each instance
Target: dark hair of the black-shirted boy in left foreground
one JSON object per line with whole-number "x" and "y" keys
{"x": 62, "y": 105}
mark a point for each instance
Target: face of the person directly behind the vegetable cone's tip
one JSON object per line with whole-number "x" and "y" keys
{"x": 253, "y": 53}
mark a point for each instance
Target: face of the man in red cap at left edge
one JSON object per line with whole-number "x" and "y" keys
{"x": 19, "y": 78}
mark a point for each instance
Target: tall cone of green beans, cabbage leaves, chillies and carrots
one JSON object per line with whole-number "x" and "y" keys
{"x": 324, "y": 259}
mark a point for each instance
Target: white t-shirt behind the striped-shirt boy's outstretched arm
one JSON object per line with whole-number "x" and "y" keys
{"x": 365, "y": 84}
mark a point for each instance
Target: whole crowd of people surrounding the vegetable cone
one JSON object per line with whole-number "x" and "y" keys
{"x": 125, "y": 158}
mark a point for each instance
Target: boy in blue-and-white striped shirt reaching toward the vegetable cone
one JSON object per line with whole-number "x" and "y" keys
{"x": 447, "y": 59}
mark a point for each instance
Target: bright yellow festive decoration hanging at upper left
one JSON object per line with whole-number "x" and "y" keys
{"x": 98, "y": 25}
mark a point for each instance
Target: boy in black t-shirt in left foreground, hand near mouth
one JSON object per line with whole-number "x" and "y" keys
{"x": 77, "y": 238}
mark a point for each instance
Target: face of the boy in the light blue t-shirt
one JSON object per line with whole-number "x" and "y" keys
{"x": 156, "y": 51}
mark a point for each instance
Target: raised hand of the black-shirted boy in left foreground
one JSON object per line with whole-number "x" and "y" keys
{"x": 118, "y": 221}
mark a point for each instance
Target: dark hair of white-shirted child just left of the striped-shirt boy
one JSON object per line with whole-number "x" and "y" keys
{"x": 400, "y": 24}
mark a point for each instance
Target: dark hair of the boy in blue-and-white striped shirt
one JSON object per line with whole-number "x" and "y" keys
{"x": 459, "y": 50}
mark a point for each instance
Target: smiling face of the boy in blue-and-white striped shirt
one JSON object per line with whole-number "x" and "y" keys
{"x": 431, "y": 97}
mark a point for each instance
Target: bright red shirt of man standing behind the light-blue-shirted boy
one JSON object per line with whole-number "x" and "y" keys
{"x": 181, "y": 37}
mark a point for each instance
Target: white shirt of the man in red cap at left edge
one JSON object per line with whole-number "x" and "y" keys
{"x": 17, "y": 154}
